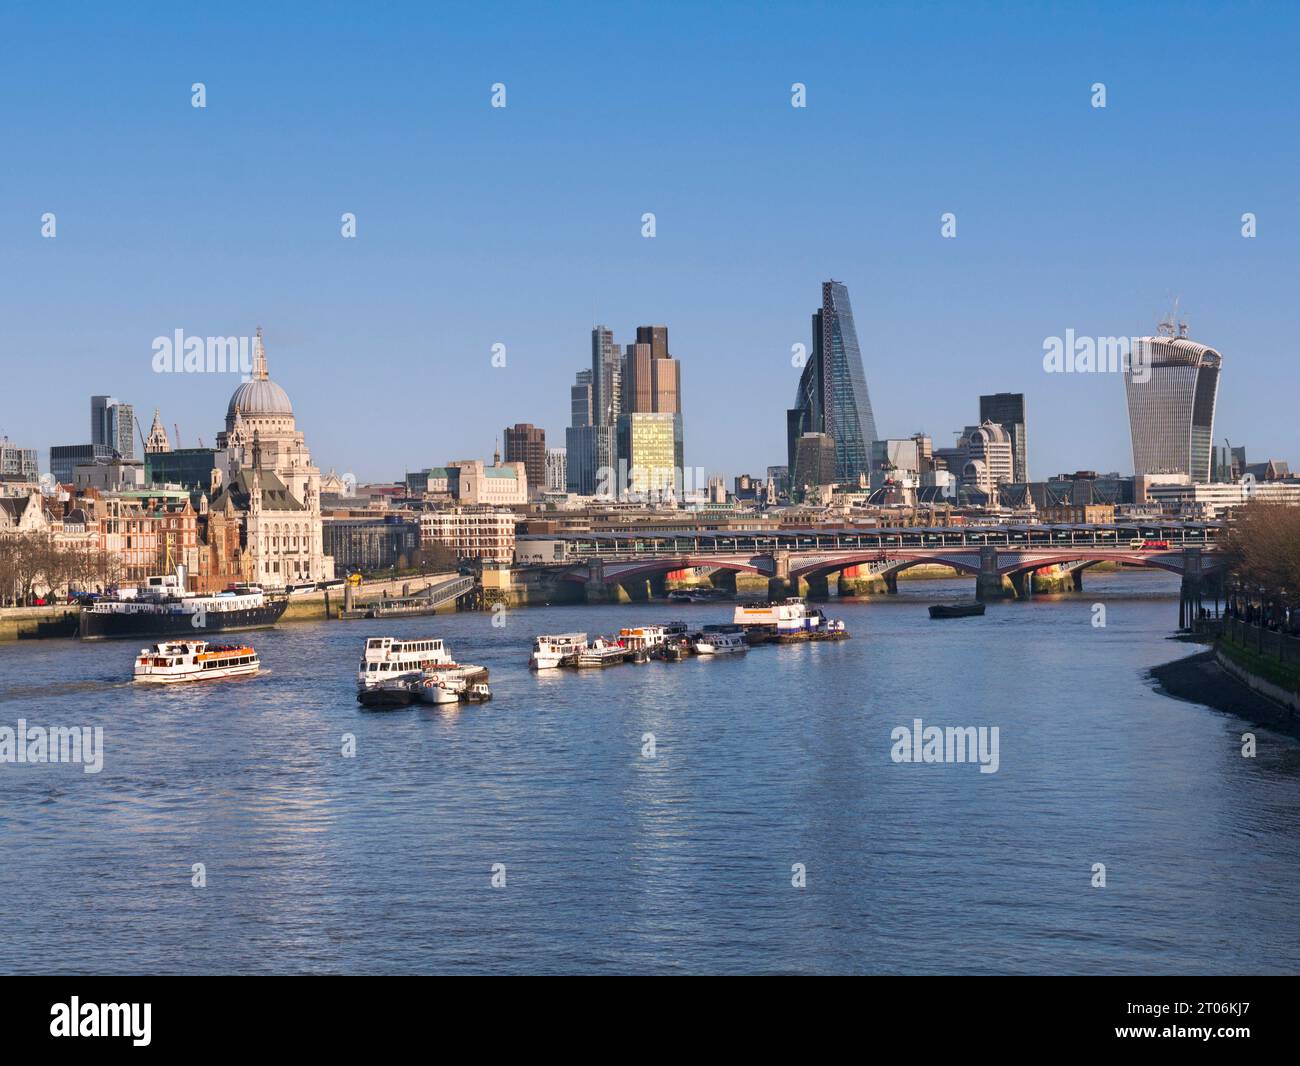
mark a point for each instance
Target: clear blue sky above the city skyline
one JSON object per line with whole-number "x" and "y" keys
{"x": 523, "y": 226}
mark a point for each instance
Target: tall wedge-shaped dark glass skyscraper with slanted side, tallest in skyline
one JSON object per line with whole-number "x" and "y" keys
{"x": 833, "y": 393}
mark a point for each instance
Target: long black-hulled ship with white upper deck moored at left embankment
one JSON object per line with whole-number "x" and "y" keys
{"x": 164, "y": 608}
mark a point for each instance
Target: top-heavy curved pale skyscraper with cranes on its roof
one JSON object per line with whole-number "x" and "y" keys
{"x": 1172, "y": 385}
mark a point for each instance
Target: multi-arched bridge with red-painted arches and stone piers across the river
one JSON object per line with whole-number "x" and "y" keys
{"x": 998, "y": 556}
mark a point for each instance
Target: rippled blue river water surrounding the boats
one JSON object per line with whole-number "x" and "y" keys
{"x": 616, "y": 863}
